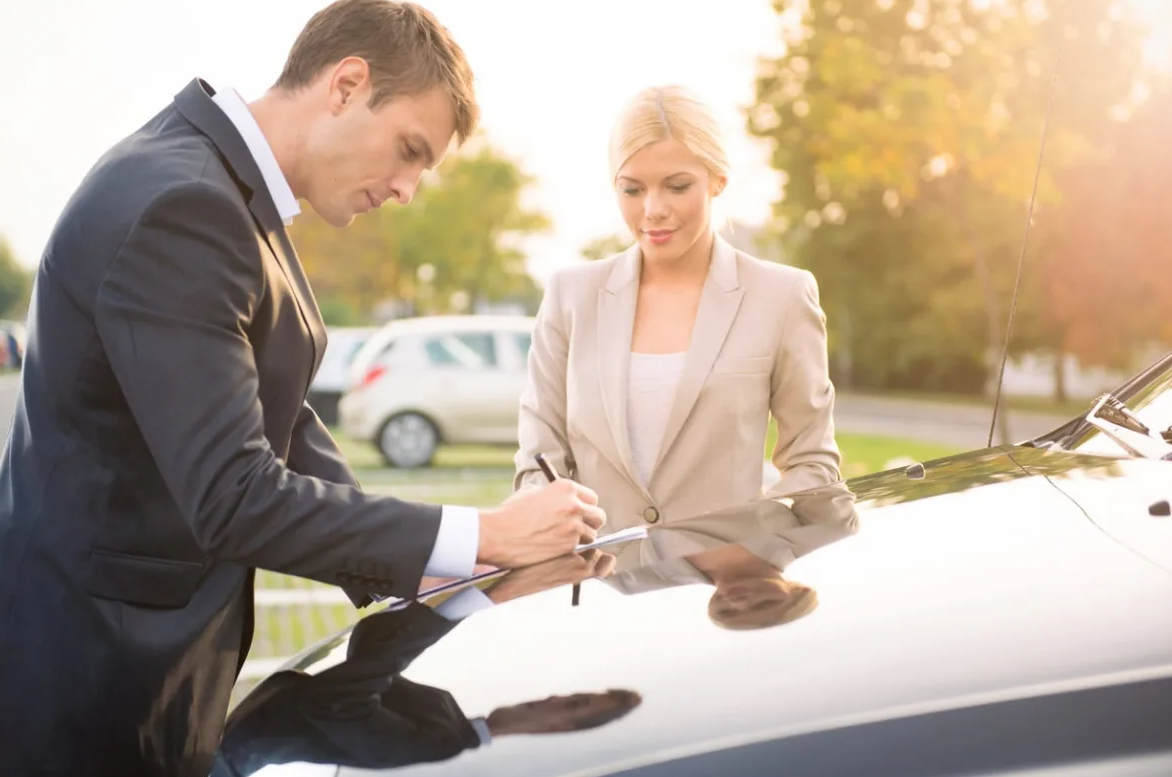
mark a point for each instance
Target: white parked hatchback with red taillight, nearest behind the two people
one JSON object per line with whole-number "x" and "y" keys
{"x": 421, "y": 383}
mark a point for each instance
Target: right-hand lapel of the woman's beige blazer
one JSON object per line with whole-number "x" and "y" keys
{"x": 719, "y": 303}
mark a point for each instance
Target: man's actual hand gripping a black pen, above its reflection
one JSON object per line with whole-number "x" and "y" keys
{"x": 539, "y": 524}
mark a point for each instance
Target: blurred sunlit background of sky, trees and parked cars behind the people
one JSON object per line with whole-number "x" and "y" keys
{"x": 888, "y": 146}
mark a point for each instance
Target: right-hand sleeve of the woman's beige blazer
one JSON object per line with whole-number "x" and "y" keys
{"x": 802, "y": 398}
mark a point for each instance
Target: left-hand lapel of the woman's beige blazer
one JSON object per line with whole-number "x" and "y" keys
{"x": 616, "y": 324}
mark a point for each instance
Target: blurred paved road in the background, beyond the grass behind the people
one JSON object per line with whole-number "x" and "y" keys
{"x": 950, "y": 425}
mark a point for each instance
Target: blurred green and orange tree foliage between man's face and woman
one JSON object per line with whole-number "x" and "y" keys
{"x": 455, "y": 247}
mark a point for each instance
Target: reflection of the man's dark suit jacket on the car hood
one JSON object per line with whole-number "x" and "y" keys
{"x": 359, "y": 714}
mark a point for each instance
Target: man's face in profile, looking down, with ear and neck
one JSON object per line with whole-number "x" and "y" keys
{"x": 358, "y": 159}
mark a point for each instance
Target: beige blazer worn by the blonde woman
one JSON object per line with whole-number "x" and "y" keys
{"x": 759, "y": 347}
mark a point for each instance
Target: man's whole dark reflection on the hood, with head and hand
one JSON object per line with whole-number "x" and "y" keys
{"x": 363, "y": 713}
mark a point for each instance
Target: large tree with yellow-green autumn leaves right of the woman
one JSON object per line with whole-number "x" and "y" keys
{"x": 930, "y": 113}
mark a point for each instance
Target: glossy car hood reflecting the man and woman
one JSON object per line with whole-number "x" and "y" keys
{"x": 885, "y": 596}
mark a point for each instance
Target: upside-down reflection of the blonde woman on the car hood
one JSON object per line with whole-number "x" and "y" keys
{"x": 742, "y": 553}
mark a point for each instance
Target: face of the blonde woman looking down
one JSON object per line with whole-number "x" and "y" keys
{"x": 666, "y": 195}
